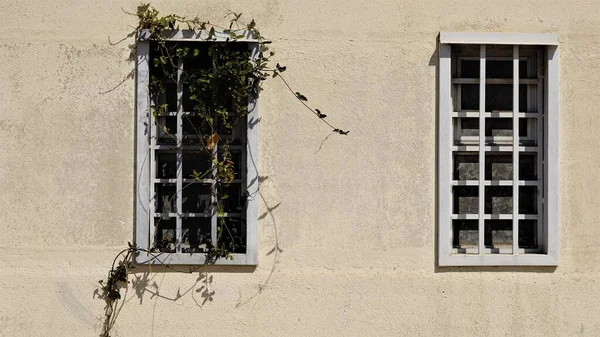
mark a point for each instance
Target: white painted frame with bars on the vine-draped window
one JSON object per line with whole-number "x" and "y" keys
{"x": 146, "y": 133}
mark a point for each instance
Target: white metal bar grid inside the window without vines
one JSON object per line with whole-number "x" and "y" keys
{"x": 533, "y": 134}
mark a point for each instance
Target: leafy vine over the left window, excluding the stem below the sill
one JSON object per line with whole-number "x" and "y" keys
{"x": 242, "y": 79}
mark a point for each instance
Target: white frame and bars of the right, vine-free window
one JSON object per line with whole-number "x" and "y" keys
{"x": 549, "y": 180}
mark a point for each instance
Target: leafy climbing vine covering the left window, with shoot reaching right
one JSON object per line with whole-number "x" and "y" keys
{"x": 222, "y": 79}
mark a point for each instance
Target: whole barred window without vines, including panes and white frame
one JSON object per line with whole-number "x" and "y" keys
{"x": 498, "y": 149}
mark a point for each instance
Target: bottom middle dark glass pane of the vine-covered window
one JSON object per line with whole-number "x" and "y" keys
{"x": 195, "y": 235}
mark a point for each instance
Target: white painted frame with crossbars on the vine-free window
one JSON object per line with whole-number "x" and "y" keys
{"x": 546, "y": 148}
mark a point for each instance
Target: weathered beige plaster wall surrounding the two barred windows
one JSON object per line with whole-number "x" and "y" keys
{"x": 355, "y": 221}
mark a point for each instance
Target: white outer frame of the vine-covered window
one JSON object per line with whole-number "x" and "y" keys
{"x": 144, "y": 178}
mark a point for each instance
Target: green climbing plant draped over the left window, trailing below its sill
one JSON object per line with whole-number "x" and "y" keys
{"x": 219, "y": 91}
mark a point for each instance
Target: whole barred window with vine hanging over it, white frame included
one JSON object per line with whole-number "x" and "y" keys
{"x": 177, "y": 214}
